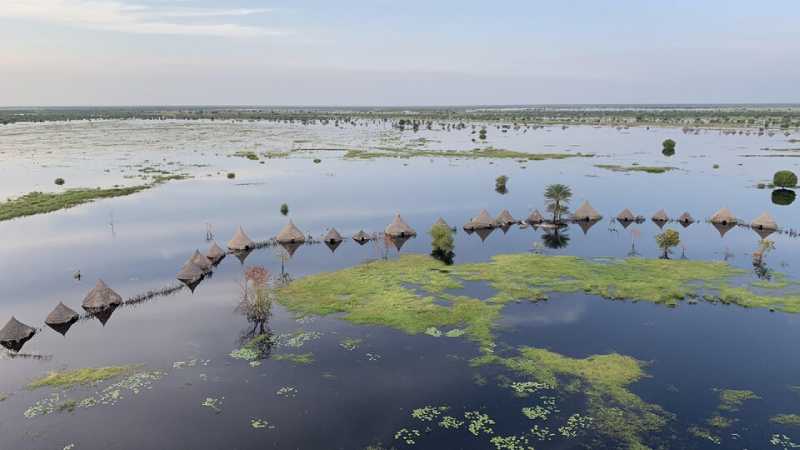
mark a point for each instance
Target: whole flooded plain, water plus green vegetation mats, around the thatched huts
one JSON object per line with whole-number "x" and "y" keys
{"x": 534, "y": 337}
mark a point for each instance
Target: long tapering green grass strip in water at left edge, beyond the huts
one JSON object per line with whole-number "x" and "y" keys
{"x": 41, "y": 202}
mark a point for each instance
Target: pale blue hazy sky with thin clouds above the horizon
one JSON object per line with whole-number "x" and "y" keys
{"x": 380, "y": 52}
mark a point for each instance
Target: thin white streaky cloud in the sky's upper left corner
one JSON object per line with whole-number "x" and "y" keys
{"x": 122, "y": 17}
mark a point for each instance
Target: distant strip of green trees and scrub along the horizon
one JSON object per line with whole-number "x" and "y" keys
{"x": 759, "y": 117}
